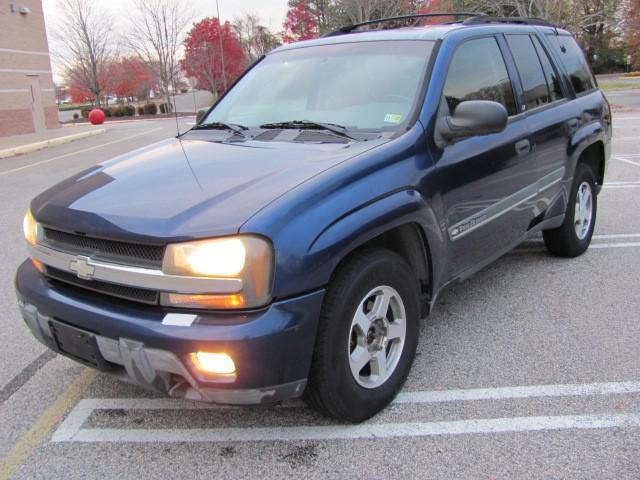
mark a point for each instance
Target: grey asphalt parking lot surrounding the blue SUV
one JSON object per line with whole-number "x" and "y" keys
{"x": 530, "y": 369}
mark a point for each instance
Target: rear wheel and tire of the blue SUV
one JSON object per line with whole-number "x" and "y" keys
{"x": 574, "y": 236}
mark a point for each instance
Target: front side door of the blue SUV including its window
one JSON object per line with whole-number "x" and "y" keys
{"x": 484, "y": 181}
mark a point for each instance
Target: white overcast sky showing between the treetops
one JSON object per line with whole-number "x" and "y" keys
{"x": 271, "y": 13}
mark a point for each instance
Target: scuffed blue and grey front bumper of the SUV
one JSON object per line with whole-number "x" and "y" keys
{"x": 272, "y": 348}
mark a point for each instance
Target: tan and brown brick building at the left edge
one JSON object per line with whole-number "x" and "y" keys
{"x": 27, "y": 97}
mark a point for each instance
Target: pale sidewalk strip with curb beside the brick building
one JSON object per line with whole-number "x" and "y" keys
{"x": 30, "y": 142}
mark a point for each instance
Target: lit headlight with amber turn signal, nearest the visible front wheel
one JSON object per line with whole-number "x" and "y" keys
{"x": 247, "y": 258}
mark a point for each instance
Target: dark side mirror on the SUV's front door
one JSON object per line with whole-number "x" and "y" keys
{"x": 472, "y": 118}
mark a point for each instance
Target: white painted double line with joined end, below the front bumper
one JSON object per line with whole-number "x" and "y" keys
{"x": 71, "y": 430}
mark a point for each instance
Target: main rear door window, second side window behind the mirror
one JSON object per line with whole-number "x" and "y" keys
{"x": 533, "y": 80}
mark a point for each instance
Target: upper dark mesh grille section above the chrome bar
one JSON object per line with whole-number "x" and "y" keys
{"x": 146, "y": 256}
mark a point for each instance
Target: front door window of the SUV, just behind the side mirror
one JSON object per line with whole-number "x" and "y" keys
{"x": 478, "y": 72}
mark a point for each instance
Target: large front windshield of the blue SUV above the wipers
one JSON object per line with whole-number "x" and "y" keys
{"x": 365, "y": 85}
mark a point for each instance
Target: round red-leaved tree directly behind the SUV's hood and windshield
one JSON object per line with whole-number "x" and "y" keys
{"x": 203, "y": 60}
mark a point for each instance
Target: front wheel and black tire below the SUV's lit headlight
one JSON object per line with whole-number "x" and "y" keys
{"x": 367, "y": 336}
